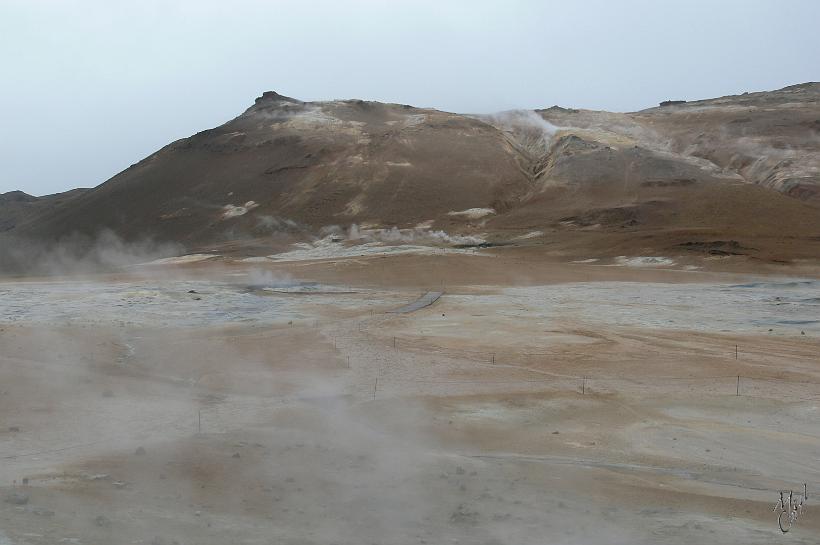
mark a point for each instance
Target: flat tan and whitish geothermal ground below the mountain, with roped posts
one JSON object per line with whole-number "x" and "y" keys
{"x": 534, "y": 402}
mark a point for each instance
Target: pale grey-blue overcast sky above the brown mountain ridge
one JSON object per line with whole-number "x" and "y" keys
{"x": 90, "y": 87}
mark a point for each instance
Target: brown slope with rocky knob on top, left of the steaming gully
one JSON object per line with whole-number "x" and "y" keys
{"x": 288, "y": 164}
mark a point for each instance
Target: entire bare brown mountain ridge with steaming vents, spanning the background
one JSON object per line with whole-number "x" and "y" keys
{"x": 734, "y": 175}
